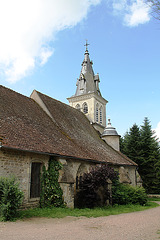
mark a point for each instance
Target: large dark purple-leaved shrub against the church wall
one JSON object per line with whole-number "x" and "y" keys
{"x": 90, "y": 184}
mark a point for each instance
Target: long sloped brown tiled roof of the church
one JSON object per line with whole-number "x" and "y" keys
{"x": 24, "y": 125}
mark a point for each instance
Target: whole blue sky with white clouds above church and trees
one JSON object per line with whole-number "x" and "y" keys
{"x": 42, "y": 48}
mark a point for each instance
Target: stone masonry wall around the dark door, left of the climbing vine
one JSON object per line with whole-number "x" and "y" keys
{"x": 18, "y": 164}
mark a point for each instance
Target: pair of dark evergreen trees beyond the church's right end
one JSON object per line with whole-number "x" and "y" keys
{"x": 142, "y": 146}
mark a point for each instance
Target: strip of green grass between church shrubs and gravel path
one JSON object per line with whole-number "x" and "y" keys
{"x": 96, "y": 212}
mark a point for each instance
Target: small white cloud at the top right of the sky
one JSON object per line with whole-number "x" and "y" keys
{"x": 134, "y": 12}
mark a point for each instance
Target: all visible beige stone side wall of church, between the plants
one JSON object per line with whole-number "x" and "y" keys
{"x": 18, "y": 164}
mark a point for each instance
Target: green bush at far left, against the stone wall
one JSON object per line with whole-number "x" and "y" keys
{"x": 10, "y": 198}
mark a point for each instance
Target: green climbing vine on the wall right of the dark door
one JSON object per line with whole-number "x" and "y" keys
{"x": 51, "y": 192}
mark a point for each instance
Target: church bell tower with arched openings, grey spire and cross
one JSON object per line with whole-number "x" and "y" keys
{"x": 88, "y": 98}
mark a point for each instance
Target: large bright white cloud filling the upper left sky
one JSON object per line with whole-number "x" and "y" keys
{"x": 27, "y": 26}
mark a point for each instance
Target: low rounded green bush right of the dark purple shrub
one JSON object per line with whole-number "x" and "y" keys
{"x": 127, "y": 194}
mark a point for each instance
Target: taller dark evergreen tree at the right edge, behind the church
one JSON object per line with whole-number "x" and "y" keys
{"x": 150, "y": 152}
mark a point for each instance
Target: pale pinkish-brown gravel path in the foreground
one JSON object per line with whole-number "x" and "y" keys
{"x": 143, "y": 225}
